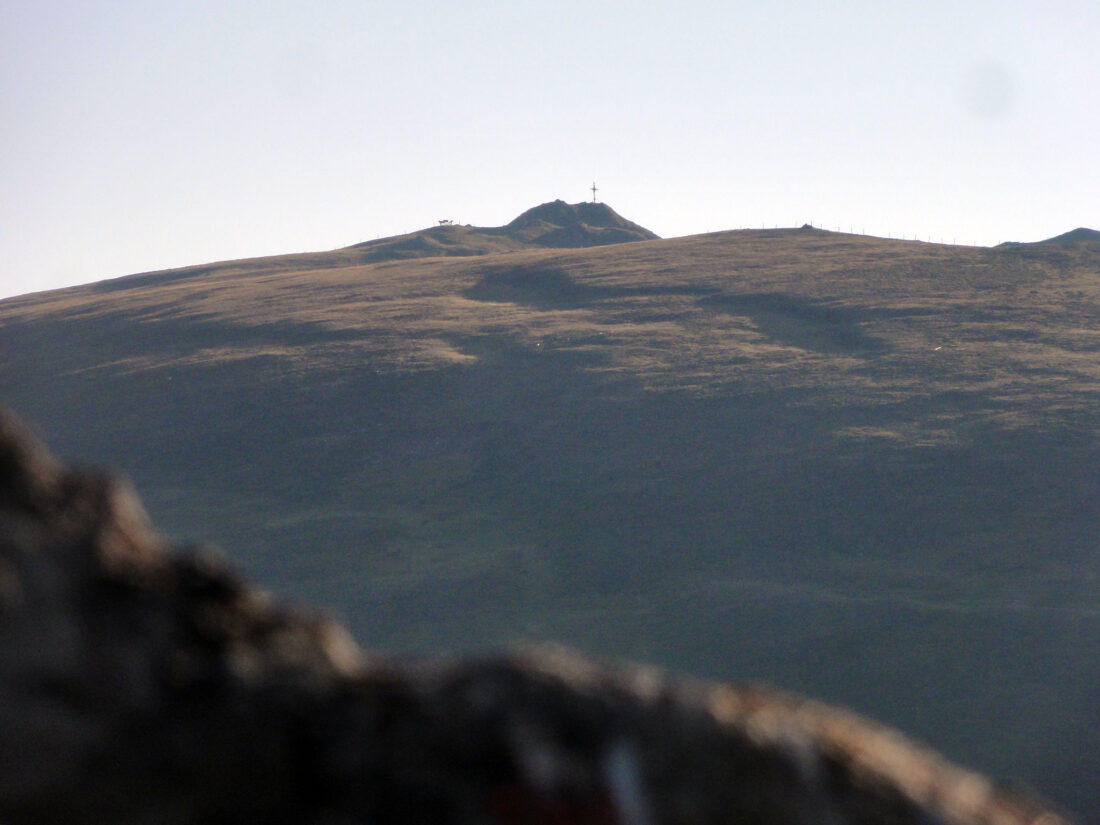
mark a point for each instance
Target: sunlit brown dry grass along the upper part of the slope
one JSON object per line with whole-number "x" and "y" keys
{"x": 881, "y": 321}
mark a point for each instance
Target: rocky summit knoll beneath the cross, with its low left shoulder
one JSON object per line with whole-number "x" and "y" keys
{"x": 556, "y": 225}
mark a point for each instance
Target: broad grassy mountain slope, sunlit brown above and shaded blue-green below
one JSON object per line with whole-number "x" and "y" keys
{"x": 859, "y": 468}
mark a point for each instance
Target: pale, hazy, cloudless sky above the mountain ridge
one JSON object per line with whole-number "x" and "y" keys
{"x": 138, "y": 136}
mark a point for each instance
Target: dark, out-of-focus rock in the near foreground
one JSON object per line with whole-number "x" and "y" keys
{"x": 142, "y": 686}
